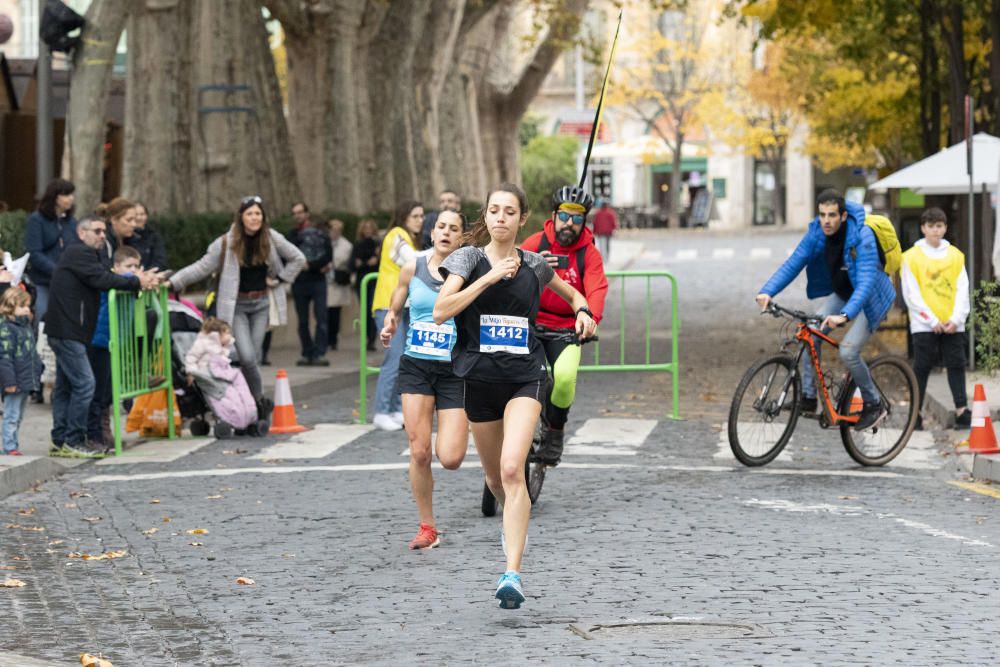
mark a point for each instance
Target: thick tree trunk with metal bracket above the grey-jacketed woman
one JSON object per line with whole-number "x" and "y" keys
{"x": 203, "y": 134}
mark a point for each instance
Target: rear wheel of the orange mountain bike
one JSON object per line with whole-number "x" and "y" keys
{"x": 898, "y": 386}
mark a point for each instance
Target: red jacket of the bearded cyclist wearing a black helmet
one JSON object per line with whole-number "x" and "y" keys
{"x": 553, "y": 311}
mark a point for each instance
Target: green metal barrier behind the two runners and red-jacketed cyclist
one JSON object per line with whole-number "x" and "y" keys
{"x": 648, "y": 365}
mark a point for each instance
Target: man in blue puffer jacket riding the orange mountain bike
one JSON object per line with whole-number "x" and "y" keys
{"x": 841, "y": 258}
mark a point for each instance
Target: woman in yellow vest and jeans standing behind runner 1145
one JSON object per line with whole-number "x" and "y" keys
{"x": 398, "y": 248}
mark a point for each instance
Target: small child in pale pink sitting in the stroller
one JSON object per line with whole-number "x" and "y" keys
{"x": 208, "y": 367}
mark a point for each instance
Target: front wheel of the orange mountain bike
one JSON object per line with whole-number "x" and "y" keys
{"x": 764, "y": 410}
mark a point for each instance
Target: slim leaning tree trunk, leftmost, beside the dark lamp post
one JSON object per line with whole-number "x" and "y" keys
{"x": 90, "y": 85}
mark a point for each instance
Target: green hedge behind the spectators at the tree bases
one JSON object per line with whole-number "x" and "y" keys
{"x": 186, "y": 236}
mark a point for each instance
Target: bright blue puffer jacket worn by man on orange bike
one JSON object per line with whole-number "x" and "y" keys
{"x": 873, "y": 290}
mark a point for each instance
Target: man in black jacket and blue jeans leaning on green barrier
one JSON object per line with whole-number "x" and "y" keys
{"x": 83, "y": 272}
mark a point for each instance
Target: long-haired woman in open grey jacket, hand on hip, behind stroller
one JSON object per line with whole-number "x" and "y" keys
{"x": 251, "y": 260}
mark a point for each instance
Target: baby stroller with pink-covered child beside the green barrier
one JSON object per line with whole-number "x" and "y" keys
{"x": 211, "y": 391}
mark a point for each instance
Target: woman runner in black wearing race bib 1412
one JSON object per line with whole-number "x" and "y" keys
{"x": 493, "y": 293}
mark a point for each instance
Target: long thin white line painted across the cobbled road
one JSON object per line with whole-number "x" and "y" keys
{"x": 381, "y": 467}
